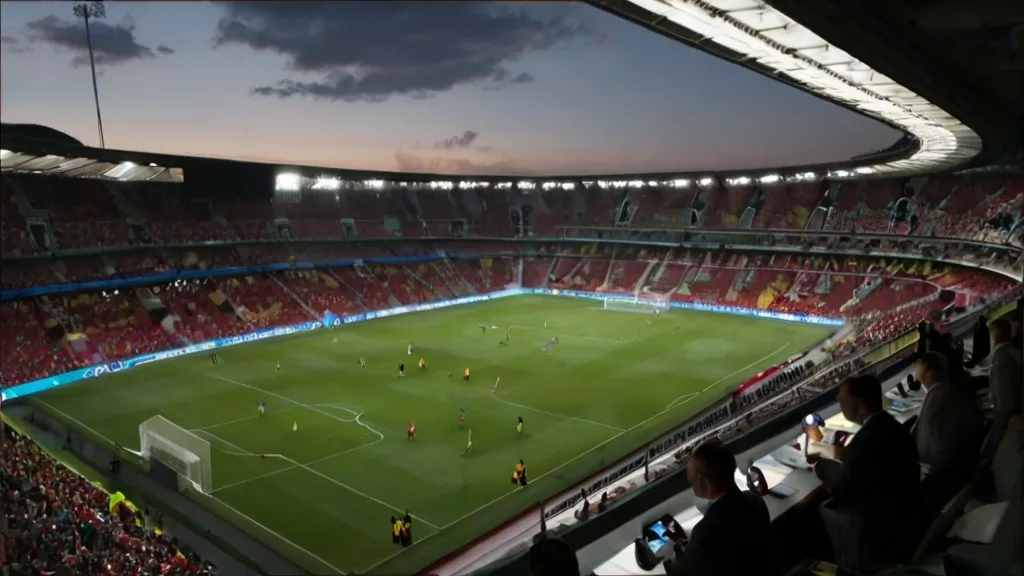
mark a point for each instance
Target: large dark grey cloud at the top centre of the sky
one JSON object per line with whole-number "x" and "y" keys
{"x": 370, "y": 52}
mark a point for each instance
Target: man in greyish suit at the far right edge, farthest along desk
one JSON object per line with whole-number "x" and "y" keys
{"x": 1005, "y": 383}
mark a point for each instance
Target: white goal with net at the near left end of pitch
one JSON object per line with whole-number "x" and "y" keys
{"x": 179, "y": 449}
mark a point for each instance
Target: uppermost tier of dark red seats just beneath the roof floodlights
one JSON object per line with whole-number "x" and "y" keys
{"x": 81, "y": 215}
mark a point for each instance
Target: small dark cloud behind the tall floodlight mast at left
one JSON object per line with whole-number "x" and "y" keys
{"x": 112, "y": 45}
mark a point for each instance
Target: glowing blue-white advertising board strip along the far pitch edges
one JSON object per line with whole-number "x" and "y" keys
{"x": 330, "y": 321}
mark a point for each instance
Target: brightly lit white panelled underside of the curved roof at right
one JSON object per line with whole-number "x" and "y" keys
{"x": 757, "y": 35}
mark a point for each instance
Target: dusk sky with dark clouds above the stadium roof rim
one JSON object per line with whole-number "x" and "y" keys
{"x": 449, "y": 88}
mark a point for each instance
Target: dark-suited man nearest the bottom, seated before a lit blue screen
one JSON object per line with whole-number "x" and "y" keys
{"x": 732, "y": 519}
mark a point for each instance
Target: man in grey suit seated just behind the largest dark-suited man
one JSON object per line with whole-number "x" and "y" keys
{"x": 949, "y": 431}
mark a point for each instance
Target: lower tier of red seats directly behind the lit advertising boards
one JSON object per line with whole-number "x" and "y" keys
{"x": 114, "y": 326}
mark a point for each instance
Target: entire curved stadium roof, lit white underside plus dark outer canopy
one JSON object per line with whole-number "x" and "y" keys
{"x": 950, "y": 119}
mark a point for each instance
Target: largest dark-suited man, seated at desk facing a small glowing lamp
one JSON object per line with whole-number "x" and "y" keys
{"x": 874, "y": 517}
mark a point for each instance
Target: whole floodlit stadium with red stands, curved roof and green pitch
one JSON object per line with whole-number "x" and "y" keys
{"x": 598, "y": 330}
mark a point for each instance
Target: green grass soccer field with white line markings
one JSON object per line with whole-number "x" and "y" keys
{"x": 327, "y": 490}
